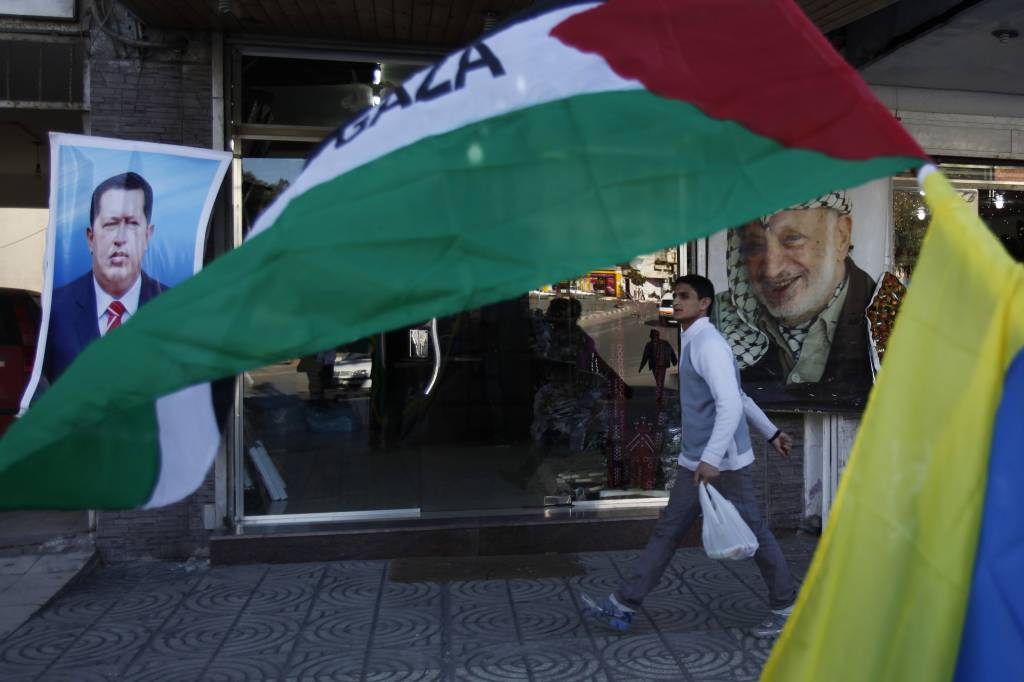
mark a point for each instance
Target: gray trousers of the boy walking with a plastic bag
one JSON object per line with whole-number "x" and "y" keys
{"x": 679, "y": 516}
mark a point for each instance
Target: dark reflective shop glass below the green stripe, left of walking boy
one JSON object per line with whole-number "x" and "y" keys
{"x": 545, "y": 399}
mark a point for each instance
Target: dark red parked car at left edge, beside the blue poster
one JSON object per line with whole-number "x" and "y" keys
{"x": 20, "y": 316}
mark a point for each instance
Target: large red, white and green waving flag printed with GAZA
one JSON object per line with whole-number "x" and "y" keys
{"x": 579, "y": 136}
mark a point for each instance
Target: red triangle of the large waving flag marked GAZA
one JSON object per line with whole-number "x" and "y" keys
{"x": 759, "y": 63}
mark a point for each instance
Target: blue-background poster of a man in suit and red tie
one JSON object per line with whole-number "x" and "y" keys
{"x": 127, "y": 223}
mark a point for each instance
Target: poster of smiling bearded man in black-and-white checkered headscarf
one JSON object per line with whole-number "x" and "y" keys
{"x": 795, "y": 310}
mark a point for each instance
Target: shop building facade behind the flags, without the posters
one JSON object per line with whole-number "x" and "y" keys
{"x": 482, "y": 425}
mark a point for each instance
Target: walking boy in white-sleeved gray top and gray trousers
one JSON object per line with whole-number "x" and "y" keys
{"x": 717, "y": 449}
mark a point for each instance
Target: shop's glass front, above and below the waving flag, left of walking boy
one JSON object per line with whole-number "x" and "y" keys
{"x": 531, "y": 403}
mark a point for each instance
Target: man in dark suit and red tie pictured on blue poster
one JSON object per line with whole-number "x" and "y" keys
{"x": 104, "y": 299}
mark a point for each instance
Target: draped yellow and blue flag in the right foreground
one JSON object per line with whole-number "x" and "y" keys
{"x": 920, "y": 574}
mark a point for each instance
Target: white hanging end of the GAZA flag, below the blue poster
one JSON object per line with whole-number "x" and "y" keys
{"x": 189, "y": 441}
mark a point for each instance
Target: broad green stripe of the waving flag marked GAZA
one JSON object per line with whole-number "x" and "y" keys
{"x": 452, "y": 223}
